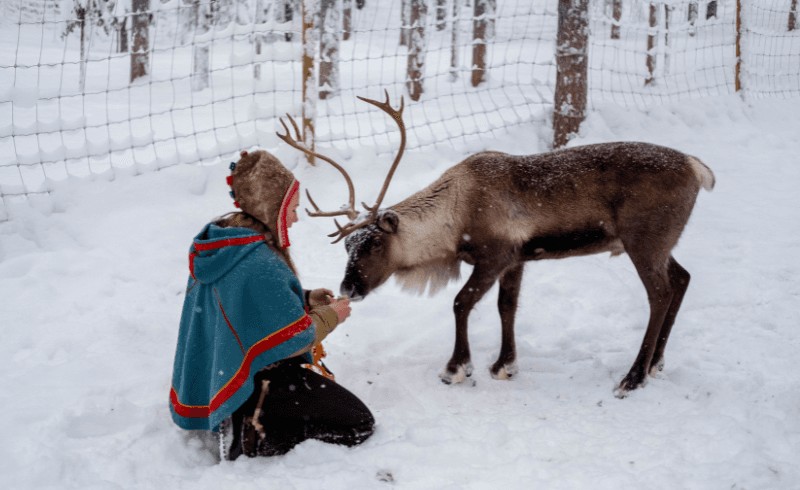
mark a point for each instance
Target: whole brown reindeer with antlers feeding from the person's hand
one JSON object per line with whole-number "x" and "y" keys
{"x": 497, "y": 211}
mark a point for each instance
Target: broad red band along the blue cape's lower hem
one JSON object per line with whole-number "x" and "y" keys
{"x": 238, "y": 379}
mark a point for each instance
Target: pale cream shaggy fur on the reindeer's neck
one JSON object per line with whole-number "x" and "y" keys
{"x": 426, "y": 244}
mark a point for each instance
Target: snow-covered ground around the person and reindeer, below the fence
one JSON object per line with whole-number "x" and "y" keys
{"x": 92, "y": 286}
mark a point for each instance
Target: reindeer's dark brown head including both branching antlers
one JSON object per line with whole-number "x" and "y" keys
{"x": 368, "y": 236}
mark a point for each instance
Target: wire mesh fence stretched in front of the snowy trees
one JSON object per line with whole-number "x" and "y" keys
{"x": 106, "y": 87}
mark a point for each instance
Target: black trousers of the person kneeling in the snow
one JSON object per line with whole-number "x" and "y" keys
{"x": 299, "y": 404}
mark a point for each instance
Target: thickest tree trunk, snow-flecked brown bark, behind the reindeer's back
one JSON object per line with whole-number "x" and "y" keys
{"x": 571, "y": 69}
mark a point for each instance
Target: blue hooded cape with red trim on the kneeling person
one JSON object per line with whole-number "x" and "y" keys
{"x": 243, "y": 310}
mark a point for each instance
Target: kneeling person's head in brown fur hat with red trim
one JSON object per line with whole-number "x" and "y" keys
{"x": 267, "y": 191}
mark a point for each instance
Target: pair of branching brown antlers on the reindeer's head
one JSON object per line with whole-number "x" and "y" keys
{"x": 343, "y": 231}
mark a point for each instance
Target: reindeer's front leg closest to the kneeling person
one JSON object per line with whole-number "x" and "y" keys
{"x": 460, "y": 365}
